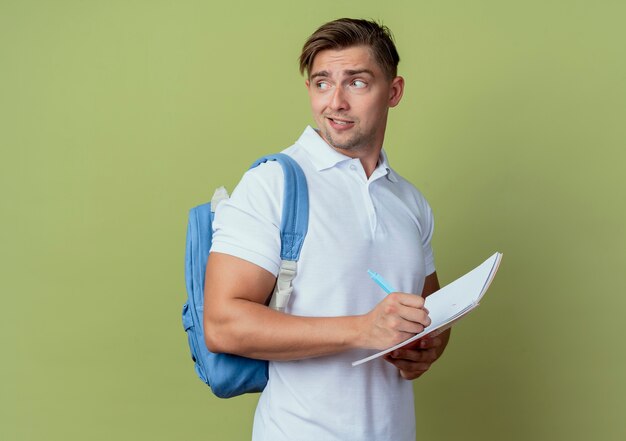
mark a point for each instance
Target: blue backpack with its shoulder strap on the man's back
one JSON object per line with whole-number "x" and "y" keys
{"x": 231, "y": 375}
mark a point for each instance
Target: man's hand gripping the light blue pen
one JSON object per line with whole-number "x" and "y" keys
{"x": 396, "y": 318}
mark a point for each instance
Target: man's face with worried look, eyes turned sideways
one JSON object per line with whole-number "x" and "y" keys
{"x": 350, "y": 98}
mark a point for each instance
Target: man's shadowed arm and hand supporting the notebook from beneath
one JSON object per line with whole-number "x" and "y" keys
{"x": 412, "y": 363}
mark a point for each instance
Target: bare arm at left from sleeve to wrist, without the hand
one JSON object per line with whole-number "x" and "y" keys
{"x": 236, "y": 320}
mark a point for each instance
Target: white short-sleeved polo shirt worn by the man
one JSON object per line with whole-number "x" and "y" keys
{"x": 382, "y": 223}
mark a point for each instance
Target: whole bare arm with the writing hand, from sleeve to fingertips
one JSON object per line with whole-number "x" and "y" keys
{"x": 237, "y": 321}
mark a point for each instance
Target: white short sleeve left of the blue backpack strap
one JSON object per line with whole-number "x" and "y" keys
{"x": 247, "y": 225}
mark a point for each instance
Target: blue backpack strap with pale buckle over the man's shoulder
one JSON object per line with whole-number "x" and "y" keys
{"x": 293, "y": 226}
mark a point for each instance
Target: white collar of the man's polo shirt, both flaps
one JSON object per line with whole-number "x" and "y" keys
{"x": 324, "y": 156}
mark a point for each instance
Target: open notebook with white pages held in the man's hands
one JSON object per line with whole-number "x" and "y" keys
{"x": 452, "y": 302}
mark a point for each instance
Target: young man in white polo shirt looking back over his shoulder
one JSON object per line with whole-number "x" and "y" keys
{"x": 362, "y": 216}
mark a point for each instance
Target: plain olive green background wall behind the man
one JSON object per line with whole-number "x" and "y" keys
{"x": 116, "y": 117}
